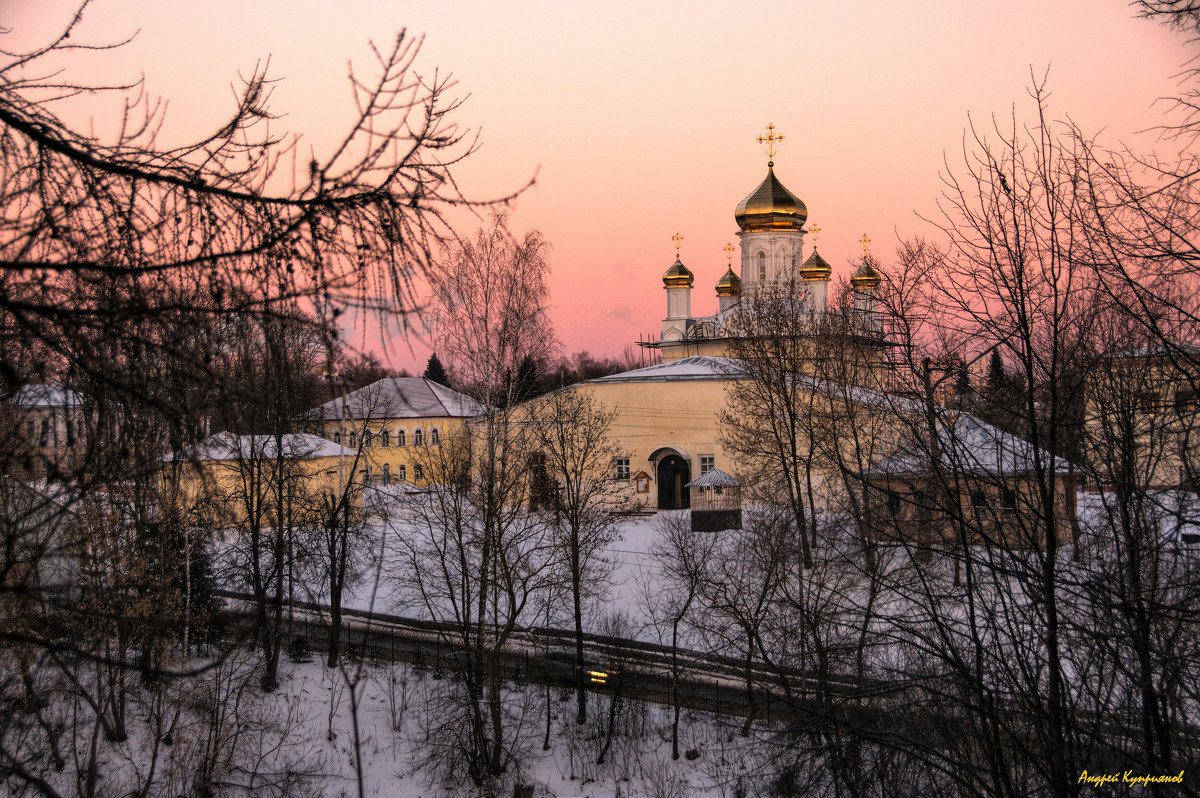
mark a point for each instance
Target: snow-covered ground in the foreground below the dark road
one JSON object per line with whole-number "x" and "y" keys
{"x": 227, "y": 739}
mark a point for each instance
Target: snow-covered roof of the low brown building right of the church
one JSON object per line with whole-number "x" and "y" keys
{"x": 969, "y": 446}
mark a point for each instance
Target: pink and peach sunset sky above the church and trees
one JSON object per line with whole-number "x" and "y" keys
{"x": 640, "y": 119}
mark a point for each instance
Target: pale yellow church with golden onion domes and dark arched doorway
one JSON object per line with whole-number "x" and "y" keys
{"x": 668, "y": 425}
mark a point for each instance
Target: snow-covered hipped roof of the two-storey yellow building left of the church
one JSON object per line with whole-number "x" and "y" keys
{"x": 399, "y": 398}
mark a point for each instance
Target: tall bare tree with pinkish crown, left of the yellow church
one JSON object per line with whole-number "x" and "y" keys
{"x": 476, "y": 557}
